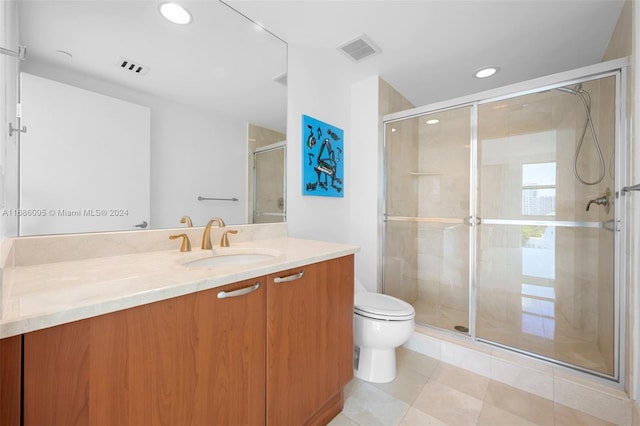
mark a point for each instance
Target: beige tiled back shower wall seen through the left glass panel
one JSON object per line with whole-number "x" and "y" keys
{"x": 443, "y": 192}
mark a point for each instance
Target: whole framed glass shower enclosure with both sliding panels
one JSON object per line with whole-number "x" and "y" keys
{"x": 503, "y": 216}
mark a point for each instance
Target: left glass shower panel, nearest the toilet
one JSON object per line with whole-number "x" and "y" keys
{"x": 427, "y": 209}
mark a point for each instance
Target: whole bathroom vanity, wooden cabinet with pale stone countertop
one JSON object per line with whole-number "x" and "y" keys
{"x": 269, "y": 342}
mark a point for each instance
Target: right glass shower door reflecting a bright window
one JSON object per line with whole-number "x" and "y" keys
{"x": 545, "y": 243}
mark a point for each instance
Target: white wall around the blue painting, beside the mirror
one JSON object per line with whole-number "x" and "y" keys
{"x": 337, "y": 95}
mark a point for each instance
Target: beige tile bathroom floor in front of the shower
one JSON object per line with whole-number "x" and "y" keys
{"x": 430, "y": 392}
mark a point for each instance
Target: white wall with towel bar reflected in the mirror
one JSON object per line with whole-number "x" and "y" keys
{"x": 193, "y": 153}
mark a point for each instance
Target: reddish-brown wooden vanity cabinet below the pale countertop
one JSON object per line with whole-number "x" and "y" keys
{"x": 279, "y": 353}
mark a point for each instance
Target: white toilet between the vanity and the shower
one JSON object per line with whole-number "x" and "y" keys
{"x": 381, "y": 323}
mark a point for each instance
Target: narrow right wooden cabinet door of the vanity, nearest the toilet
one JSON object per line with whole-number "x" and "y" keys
{"x": 309, "y": 342}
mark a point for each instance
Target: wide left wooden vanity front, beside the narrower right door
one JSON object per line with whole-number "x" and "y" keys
{"x": 191, "y": 360}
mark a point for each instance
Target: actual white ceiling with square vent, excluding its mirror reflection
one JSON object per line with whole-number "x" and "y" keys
{"x": 431, "y": 48}
